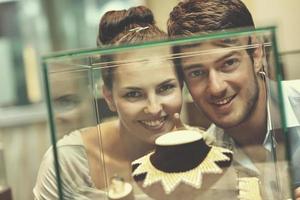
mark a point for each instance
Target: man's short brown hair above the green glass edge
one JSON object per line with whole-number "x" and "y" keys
{"x": 203, "y": 16}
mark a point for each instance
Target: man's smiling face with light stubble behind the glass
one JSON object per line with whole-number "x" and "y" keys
{"x": 221, "y": 83}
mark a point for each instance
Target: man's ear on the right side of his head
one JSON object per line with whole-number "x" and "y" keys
{"x": 257, "y": 54}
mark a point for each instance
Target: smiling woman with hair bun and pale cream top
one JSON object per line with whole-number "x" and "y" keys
{"x": 145, "y": 106}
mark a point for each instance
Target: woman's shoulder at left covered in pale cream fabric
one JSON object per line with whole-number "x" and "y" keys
{"x": 73, "y": 165}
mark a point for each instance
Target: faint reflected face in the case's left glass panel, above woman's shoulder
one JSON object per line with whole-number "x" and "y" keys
{"x": 71, "y": 97}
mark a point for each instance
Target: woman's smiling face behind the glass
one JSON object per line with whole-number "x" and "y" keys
{"x": 145, "y": 104}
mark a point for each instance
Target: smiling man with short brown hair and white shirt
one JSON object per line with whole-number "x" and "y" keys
{"x": 230, "y": 88}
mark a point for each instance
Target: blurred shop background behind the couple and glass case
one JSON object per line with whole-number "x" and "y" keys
{"x": 32, "y": 28}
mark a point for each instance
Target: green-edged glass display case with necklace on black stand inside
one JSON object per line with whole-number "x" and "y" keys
{"x": 116, "y": 134}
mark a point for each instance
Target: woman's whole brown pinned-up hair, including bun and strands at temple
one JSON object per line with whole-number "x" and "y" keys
{"x": 135, "y": 25}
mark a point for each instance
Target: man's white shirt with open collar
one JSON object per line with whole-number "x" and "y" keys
{"x": 272, "y": 170}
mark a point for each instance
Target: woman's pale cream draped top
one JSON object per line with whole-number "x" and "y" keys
{"x": 75, "y": 176}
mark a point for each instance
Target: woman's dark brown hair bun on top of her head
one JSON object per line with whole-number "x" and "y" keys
{"x": 115, "y": 22}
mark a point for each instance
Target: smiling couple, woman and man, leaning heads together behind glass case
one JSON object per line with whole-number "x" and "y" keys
{"x": 228, "y": 88}
